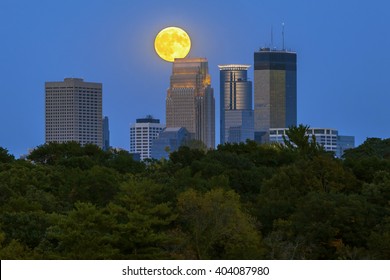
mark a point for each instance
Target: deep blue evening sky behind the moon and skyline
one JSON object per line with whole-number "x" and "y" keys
{"x": 342, "y": 46}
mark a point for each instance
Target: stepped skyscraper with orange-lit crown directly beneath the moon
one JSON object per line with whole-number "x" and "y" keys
{"x": 190, "y": 100}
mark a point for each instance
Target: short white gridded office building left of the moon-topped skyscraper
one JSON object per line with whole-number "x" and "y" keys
{"x": 142, "y": 134}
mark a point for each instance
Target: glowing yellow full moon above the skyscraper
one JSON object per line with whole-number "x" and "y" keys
{"x": 171, "y": 43}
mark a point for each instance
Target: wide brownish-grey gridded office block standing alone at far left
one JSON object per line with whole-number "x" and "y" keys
{"x": 73, "y": 112}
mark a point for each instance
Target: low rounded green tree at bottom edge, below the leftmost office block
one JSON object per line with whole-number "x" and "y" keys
{"x": 85, "y": 233}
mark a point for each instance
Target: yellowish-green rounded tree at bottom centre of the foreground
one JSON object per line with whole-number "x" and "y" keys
{"x": 217, "y": 227}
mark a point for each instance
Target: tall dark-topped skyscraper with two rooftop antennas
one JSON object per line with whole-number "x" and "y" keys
{"x": 275, "y": 91}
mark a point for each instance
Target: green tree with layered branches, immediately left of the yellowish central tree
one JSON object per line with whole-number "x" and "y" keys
{"x": 143, "y": 218}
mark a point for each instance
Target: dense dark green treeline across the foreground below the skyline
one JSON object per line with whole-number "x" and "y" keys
{"x": 240, "y": 201}
